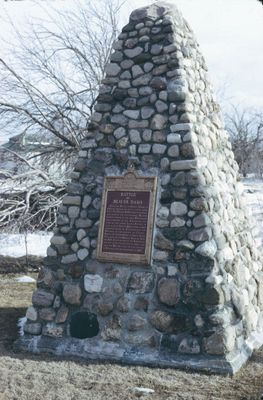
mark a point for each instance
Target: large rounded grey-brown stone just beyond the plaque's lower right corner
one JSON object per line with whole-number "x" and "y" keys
{"x": 168, "y": 291}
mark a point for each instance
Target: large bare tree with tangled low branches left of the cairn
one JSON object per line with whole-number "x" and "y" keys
{"x": 47, "y": 91}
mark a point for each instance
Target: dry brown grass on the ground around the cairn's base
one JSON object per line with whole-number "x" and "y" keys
{"x": 28, "y": 377}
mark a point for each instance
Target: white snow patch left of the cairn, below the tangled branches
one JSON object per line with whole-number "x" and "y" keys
{"x": 17, "y": 245}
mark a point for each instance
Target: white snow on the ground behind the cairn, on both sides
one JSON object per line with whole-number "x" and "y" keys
{"x": 14, "y": 245}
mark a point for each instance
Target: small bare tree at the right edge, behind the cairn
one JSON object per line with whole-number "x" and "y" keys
{"x": 246, "y": 134}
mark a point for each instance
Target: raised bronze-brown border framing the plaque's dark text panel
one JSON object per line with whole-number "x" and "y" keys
{"x": 130, "y": 181}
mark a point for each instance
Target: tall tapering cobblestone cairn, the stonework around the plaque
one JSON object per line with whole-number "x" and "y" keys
{"x": 199, "y": 304}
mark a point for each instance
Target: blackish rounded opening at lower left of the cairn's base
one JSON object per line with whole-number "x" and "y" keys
{"x": 84, "y": 325}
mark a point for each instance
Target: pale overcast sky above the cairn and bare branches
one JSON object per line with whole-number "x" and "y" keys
{"x": 230, "y": 33}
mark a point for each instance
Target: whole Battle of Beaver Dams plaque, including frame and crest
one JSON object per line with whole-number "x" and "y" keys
{"x": 127, "y": 217}
